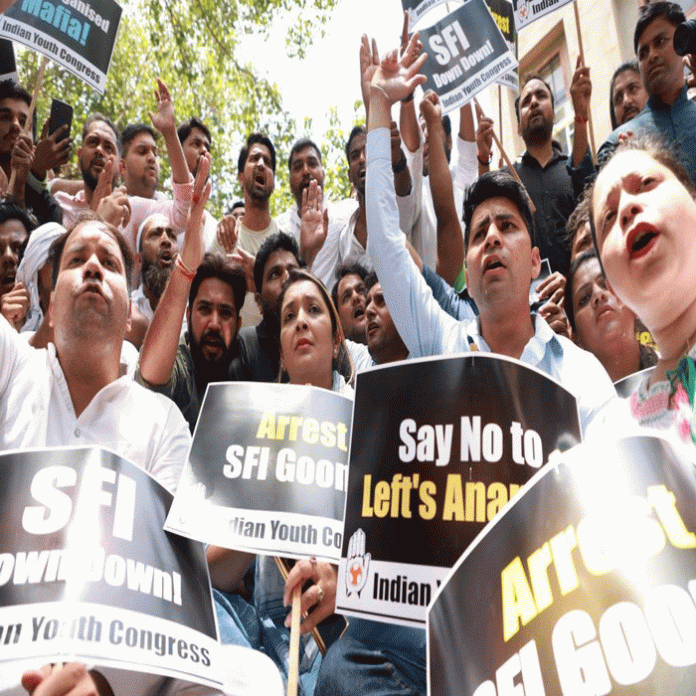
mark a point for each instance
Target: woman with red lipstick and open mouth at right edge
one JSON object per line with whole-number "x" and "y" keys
{"x": 644, "y": 213}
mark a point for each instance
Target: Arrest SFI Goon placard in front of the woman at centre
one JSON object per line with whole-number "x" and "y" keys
{"x": 268, "y": 470}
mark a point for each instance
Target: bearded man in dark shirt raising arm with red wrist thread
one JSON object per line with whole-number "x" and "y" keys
{"x": 182, "y": 369}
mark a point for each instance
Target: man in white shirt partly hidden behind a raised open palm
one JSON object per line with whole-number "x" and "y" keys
{"x": 305, "y": 166}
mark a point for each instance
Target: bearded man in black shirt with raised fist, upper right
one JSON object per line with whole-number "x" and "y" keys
{"x": 554, "y": 181}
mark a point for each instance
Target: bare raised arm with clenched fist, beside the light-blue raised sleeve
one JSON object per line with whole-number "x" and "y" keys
{"x": 450, "y": 243}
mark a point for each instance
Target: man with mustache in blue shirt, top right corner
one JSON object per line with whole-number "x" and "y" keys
{"x": 668, "y": 113}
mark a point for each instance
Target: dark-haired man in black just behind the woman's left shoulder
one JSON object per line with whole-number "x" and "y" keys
{"x": 259, "y": 352}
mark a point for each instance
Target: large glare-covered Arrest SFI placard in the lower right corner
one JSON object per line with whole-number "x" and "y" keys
{"x": 586, "y": 584}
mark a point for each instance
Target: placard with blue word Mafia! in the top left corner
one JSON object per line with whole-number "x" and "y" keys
{"x": 79, "y": 35}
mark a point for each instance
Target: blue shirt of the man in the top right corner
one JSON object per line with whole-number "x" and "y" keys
{"x": 674, "y": 123}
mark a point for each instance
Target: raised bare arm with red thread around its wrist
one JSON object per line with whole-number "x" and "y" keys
{"x": 158, "y": 353}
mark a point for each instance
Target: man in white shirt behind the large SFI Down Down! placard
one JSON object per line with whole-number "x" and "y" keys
{"x": 72, "y": 393}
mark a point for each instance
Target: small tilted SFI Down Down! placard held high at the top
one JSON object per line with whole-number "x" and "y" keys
{"x": 466, "y": 53}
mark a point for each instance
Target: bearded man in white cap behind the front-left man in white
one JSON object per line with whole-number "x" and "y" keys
{"x": 157, "y": 249}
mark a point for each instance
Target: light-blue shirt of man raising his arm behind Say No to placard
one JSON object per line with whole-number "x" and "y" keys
{"x": 426, "y": 329}
